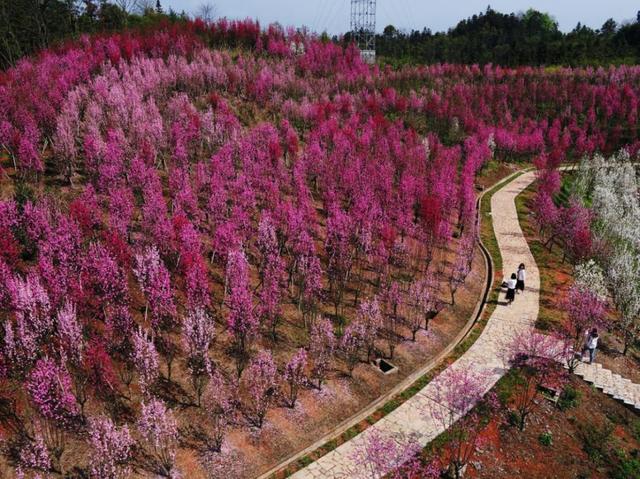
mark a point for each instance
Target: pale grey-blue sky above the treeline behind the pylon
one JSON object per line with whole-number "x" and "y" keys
{"x": 438, "y": 15}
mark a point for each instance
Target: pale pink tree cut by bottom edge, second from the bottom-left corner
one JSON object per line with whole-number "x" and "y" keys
{"x": 111, "y": 447}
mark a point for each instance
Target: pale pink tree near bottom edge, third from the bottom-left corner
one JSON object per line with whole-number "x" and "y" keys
{"x": 159, "y": 431}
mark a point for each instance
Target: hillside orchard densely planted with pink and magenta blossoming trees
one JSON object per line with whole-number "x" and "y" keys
{"x": 198, "y": 218}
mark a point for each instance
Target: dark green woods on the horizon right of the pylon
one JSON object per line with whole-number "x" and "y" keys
{"x": 531, "y": 38}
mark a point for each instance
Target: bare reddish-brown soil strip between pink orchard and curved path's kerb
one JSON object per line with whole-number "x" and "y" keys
{"x": 319, "y": 412}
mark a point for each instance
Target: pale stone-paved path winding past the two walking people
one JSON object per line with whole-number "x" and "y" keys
{"x": 412, "y": 420}
